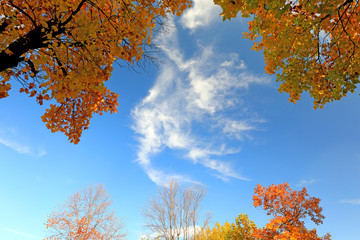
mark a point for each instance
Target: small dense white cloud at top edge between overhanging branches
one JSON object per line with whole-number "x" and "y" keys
{"x": 201, "y": 14}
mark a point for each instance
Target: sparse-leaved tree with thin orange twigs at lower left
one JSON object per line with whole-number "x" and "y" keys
{"x": 86, "y": 216}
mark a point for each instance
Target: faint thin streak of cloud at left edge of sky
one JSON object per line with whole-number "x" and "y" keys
{"x": 7, "y": 136}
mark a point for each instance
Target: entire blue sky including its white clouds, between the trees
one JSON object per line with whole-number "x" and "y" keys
{"x": 207, "y": 114}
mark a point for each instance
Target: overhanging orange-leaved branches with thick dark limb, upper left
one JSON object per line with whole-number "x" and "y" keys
{"x": 64, "y": 50}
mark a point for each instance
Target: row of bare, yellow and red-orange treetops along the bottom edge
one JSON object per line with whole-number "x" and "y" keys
{"x": 174, "y": 214}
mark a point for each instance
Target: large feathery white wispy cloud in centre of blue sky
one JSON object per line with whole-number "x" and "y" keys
{"x": 189, "y": 96}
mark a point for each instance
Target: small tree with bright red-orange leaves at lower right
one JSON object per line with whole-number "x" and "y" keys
{"x": 289, "y": 209}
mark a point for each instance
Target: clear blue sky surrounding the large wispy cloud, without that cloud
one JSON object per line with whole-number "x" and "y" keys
{"x": 293, "y": 143}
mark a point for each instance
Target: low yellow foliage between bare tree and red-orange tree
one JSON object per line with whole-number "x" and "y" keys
{"x": 242, "y": 229}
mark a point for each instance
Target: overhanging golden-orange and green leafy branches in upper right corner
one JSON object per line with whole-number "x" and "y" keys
{"x": 311, "y": 45}
